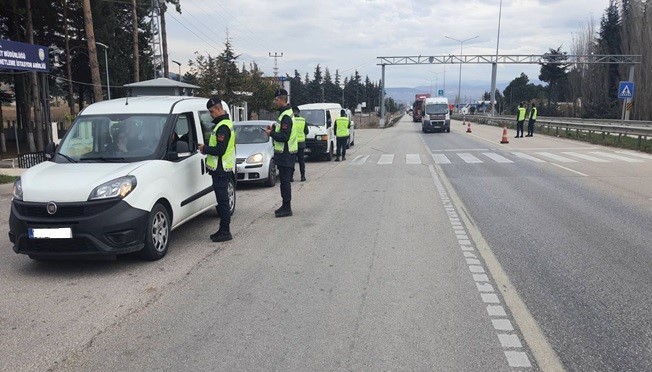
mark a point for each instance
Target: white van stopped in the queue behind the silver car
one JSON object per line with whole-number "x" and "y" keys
{"x": 319, "y": 120}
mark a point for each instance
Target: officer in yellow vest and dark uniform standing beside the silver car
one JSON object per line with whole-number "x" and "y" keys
{"x": 285, "y": 149}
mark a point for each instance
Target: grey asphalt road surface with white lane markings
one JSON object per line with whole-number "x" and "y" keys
{"x": 393, "y": 259}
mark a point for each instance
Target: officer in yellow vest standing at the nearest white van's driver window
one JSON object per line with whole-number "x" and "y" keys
{"x": 220, "y": 161}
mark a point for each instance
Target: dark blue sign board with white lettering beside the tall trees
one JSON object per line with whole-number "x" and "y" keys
{"x": 21, "y": 56}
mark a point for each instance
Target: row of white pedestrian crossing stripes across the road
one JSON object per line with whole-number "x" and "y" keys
{"x": 487, "y": 157}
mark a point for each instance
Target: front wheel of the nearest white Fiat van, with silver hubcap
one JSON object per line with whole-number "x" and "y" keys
{"x": 157, "y": 235}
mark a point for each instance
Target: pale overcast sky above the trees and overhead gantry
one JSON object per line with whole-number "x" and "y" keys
{"x": 350, "y": 35}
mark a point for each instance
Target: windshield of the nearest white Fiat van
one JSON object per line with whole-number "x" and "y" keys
{"x": 119, "y": 138}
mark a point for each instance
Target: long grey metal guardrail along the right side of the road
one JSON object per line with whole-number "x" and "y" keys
{"x": 642, "y": 132}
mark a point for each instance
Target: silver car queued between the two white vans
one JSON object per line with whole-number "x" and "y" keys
{"x": 254, "y": 152}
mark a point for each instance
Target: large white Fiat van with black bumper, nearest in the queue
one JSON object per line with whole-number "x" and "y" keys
{"x": 125, "y": 175}
